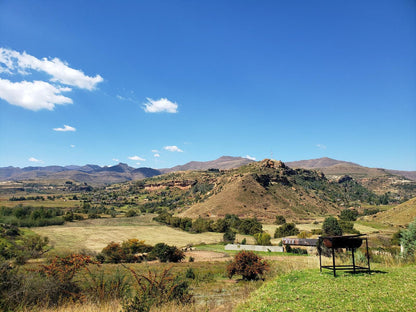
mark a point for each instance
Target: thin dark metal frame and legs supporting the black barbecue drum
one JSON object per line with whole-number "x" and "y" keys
{"x": 355, "y": 268}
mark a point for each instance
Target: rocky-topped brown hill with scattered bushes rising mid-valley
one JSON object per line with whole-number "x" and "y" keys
{"x": 259, "y": 189}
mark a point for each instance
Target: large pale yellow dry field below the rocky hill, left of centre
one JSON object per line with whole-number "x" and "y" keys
{"x": 97, "y": 233}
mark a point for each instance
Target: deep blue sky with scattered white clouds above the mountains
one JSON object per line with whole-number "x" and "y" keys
{"x": 160, "y": 83}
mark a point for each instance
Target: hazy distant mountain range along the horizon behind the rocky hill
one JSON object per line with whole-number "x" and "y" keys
{"x": 94, "y": 174}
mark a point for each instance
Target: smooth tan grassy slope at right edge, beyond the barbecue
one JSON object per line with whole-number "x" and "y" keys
{"x": 400, "y": 215}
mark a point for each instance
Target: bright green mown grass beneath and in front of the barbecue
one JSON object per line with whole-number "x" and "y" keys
{"x": 310, "y": 290}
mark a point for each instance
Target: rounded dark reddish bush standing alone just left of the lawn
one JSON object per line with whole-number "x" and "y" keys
{"x": 249, "y": 265}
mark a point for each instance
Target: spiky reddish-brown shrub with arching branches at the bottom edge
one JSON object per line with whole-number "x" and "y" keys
{"x": 155, "y": 290}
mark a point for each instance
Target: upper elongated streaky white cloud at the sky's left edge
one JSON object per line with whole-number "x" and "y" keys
{"x": 60, "y": 71}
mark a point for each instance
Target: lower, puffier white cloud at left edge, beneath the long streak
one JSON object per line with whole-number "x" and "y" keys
{"x": 34, "y": 95}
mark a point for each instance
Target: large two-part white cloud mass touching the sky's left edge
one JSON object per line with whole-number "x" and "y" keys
{"x": 36, "y": 95}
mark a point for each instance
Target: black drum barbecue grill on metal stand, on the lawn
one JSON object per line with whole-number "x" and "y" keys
{"x": 350, "y": 242}
